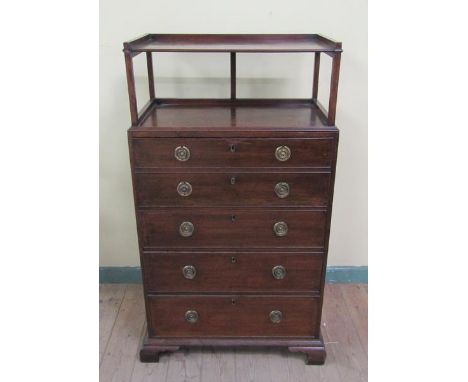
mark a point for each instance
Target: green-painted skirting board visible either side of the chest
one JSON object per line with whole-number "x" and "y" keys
{"x": 132, "y": 275}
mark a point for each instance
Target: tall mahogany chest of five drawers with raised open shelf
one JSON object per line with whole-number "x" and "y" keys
{"x": 233, "y": 205}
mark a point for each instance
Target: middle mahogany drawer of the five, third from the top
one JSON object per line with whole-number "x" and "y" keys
{"x": 231, "y": 228}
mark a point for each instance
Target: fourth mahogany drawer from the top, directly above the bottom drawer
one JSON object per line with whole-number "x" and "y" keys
{"x": 167, "y": 272}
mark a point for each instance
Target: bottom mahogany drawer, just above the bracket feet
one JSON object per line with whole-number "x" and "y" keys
{"x": 238, "y": 316}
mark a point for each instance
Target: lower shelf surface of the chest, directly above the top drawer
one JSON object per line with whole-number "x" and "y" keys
{"x": 184, "y": 115}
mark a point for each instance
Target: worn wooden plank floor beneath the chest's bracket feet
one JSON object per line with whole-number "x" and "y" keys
{"x": 122, "y": 324}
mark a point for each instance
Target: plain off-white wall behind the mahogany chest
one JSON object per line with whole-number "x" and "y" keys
{"x": 195, "y": 75}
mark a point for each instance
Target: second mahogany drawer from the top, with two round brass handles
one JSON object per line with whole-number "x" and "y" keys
{"x": 232, "y": 188}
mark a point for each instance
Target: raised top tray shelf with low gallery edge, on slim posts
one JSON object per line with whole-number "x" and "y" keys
{"x": 233, "y": 43}
